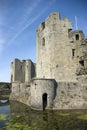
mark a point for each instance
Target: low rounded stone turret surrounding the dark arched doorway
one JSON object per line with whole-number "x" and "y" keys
{"x": 39, "y": 87}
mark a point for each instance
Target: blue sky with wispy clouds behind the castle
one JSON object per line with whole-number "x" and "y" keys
{"x": 19, "y": 20}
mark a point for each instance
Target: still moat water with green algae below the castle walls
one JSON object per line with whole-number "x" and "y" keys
{"x": 17, "y": 116}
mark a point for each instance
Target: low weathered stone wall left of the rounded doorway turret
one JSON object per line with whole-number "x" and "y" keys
{"x": 20, "y": 92}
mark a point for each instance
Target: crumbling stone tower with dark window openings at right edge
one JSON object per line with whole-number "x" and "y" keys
{"x": 79, "y": 47}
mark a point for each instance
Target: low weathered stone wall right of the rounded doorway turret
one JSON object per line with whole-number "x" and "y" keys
{"x": 70, "y": 95}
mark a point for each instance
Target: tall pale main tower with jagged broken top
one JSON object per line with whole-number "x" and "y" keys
{"x": 54, "y": 52}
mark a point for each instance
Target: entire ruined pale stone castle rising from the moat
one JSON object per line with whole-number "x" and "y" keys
{"x": 58, "y": 80}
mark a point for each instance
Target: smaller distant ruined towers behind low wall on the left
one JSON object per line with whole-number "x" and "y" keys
{"x": 22, "y": 71}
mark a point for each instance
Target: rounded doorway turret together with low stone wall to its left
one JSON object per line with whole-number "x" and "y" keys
{"x": 32, "y": 94}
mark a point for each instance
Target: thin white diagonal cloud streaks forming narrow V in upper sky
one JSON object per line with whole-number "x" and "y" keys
{"x": 27, "y": 22}
